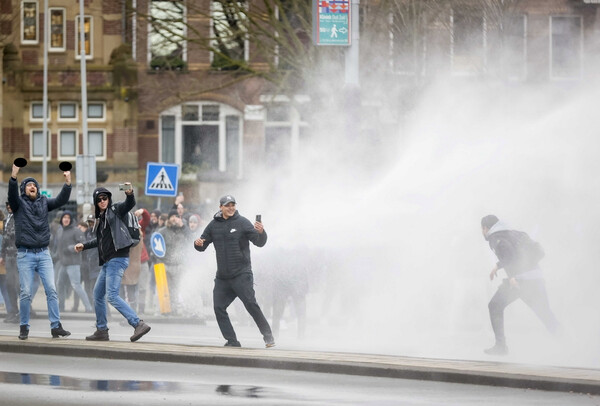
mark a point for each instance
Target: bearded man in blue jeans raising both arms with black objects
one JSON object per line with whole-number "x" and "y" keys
{"x": 32, "y": 236}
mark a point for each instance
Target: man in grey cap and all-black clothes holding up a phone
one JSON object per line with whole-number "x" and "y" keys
{"x": 230, "y": 233}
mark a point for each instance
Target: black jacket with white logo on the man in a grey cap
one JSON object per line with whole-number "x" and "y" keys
{"x": 231, "y": 239}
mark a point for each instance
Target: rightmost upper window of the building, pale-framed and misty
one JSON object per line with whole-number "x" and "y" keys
{"x": 566, "y": 44}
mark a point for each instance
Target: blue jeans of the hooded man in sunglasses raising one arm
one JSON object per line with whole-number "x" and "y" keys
{"x": 107, "y": 287}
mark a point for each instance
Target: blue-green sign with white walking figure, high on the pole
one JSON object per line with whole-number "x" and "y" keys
{"x": 331, "y": 22}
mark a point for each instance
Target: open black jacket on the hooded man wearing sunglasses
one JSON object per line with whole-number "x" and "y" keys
{"x": 112, "y": 222}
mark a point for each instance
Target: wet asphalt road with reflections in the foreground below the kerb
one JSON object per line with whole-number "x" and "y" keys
{"x": 50, "y": 380}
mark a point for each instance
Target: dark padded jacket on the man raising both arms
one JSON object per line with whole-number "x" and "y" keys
{"x": 31, "y": 216}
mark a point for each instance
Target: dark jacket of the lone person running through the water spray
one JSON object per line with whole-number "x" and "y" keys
{"x": 508, "y": 245}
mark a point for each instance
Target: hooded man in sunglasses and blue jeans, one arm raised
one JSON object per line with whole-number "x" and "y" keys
{"x": 113, "y": 242}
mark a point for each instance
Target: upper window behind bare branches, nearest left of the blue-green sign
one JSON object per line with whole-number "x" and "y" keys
{"x": 229, "y": 34}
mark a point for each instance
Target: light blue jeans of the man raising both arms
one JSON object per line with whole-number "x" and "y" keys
{"x": 28, "y": 263}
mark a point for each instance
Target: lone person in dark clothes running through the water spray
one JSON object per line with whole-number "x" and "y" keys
{"x": 519, "y": 256}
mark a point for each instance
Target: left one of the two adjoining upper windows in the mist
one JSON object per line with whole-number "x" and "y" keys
{"x": 467, "y": 42}
